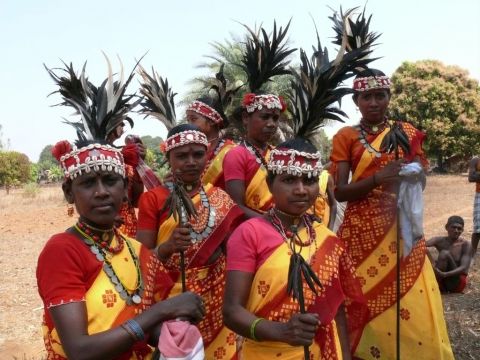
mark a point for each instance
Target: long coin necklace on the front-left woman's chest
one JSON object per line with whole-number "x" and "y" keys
{"x": 102, "y": 255}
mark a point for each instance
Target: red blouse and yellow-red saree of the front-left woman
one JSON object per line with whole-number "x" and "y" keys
{"x": 68, "y": 271}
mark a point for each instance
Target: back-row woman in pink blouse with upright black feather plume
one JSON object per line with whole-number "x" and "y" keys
{"x": 244, "y": 167}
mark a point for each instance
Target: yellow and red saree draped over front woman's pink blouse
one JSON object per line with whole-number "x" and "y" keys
{"x": 269, "y": 299}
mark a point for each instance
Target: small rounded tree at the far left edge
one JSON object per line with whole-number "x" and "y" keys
{"x": 14, "y": 169}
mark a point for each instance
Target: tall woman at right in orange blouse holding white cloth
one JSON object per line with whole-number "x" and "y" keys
{"x": 369, "y": 230}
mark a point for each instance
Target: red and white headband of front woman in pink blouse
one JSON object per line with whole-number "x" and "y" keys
{"x": 294, "y": 162}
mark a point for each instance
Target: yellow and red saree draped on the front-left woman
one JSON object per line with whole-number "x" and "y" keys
{"x": 105, "y": 308}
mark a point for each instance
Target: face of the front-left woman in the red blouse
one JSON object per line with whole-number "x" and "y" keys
{"x": 97, "y": 196}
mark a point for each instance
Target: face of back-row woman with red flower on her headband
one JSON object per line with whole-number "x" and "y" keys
{"x": 261, "y": 125}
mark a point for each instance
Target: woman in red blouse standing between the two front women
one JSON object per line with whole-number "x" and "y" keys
{"x": 202, "y": 239}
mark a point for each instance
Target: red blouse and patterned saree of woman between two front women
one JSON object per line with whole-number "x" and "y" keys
{"x": 203, "y": 278}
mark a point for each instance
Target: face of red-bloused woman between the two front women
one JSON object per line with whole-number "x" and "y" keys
{"x": 187, "y": 162}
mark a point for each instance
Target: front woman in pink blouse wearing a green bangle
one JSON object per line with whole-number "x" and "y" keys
{"x": 258, "y": 305}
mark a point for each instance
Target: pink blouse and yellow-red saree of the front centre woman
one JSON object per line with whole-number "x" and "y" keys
{"x": 256, "y": 247}
